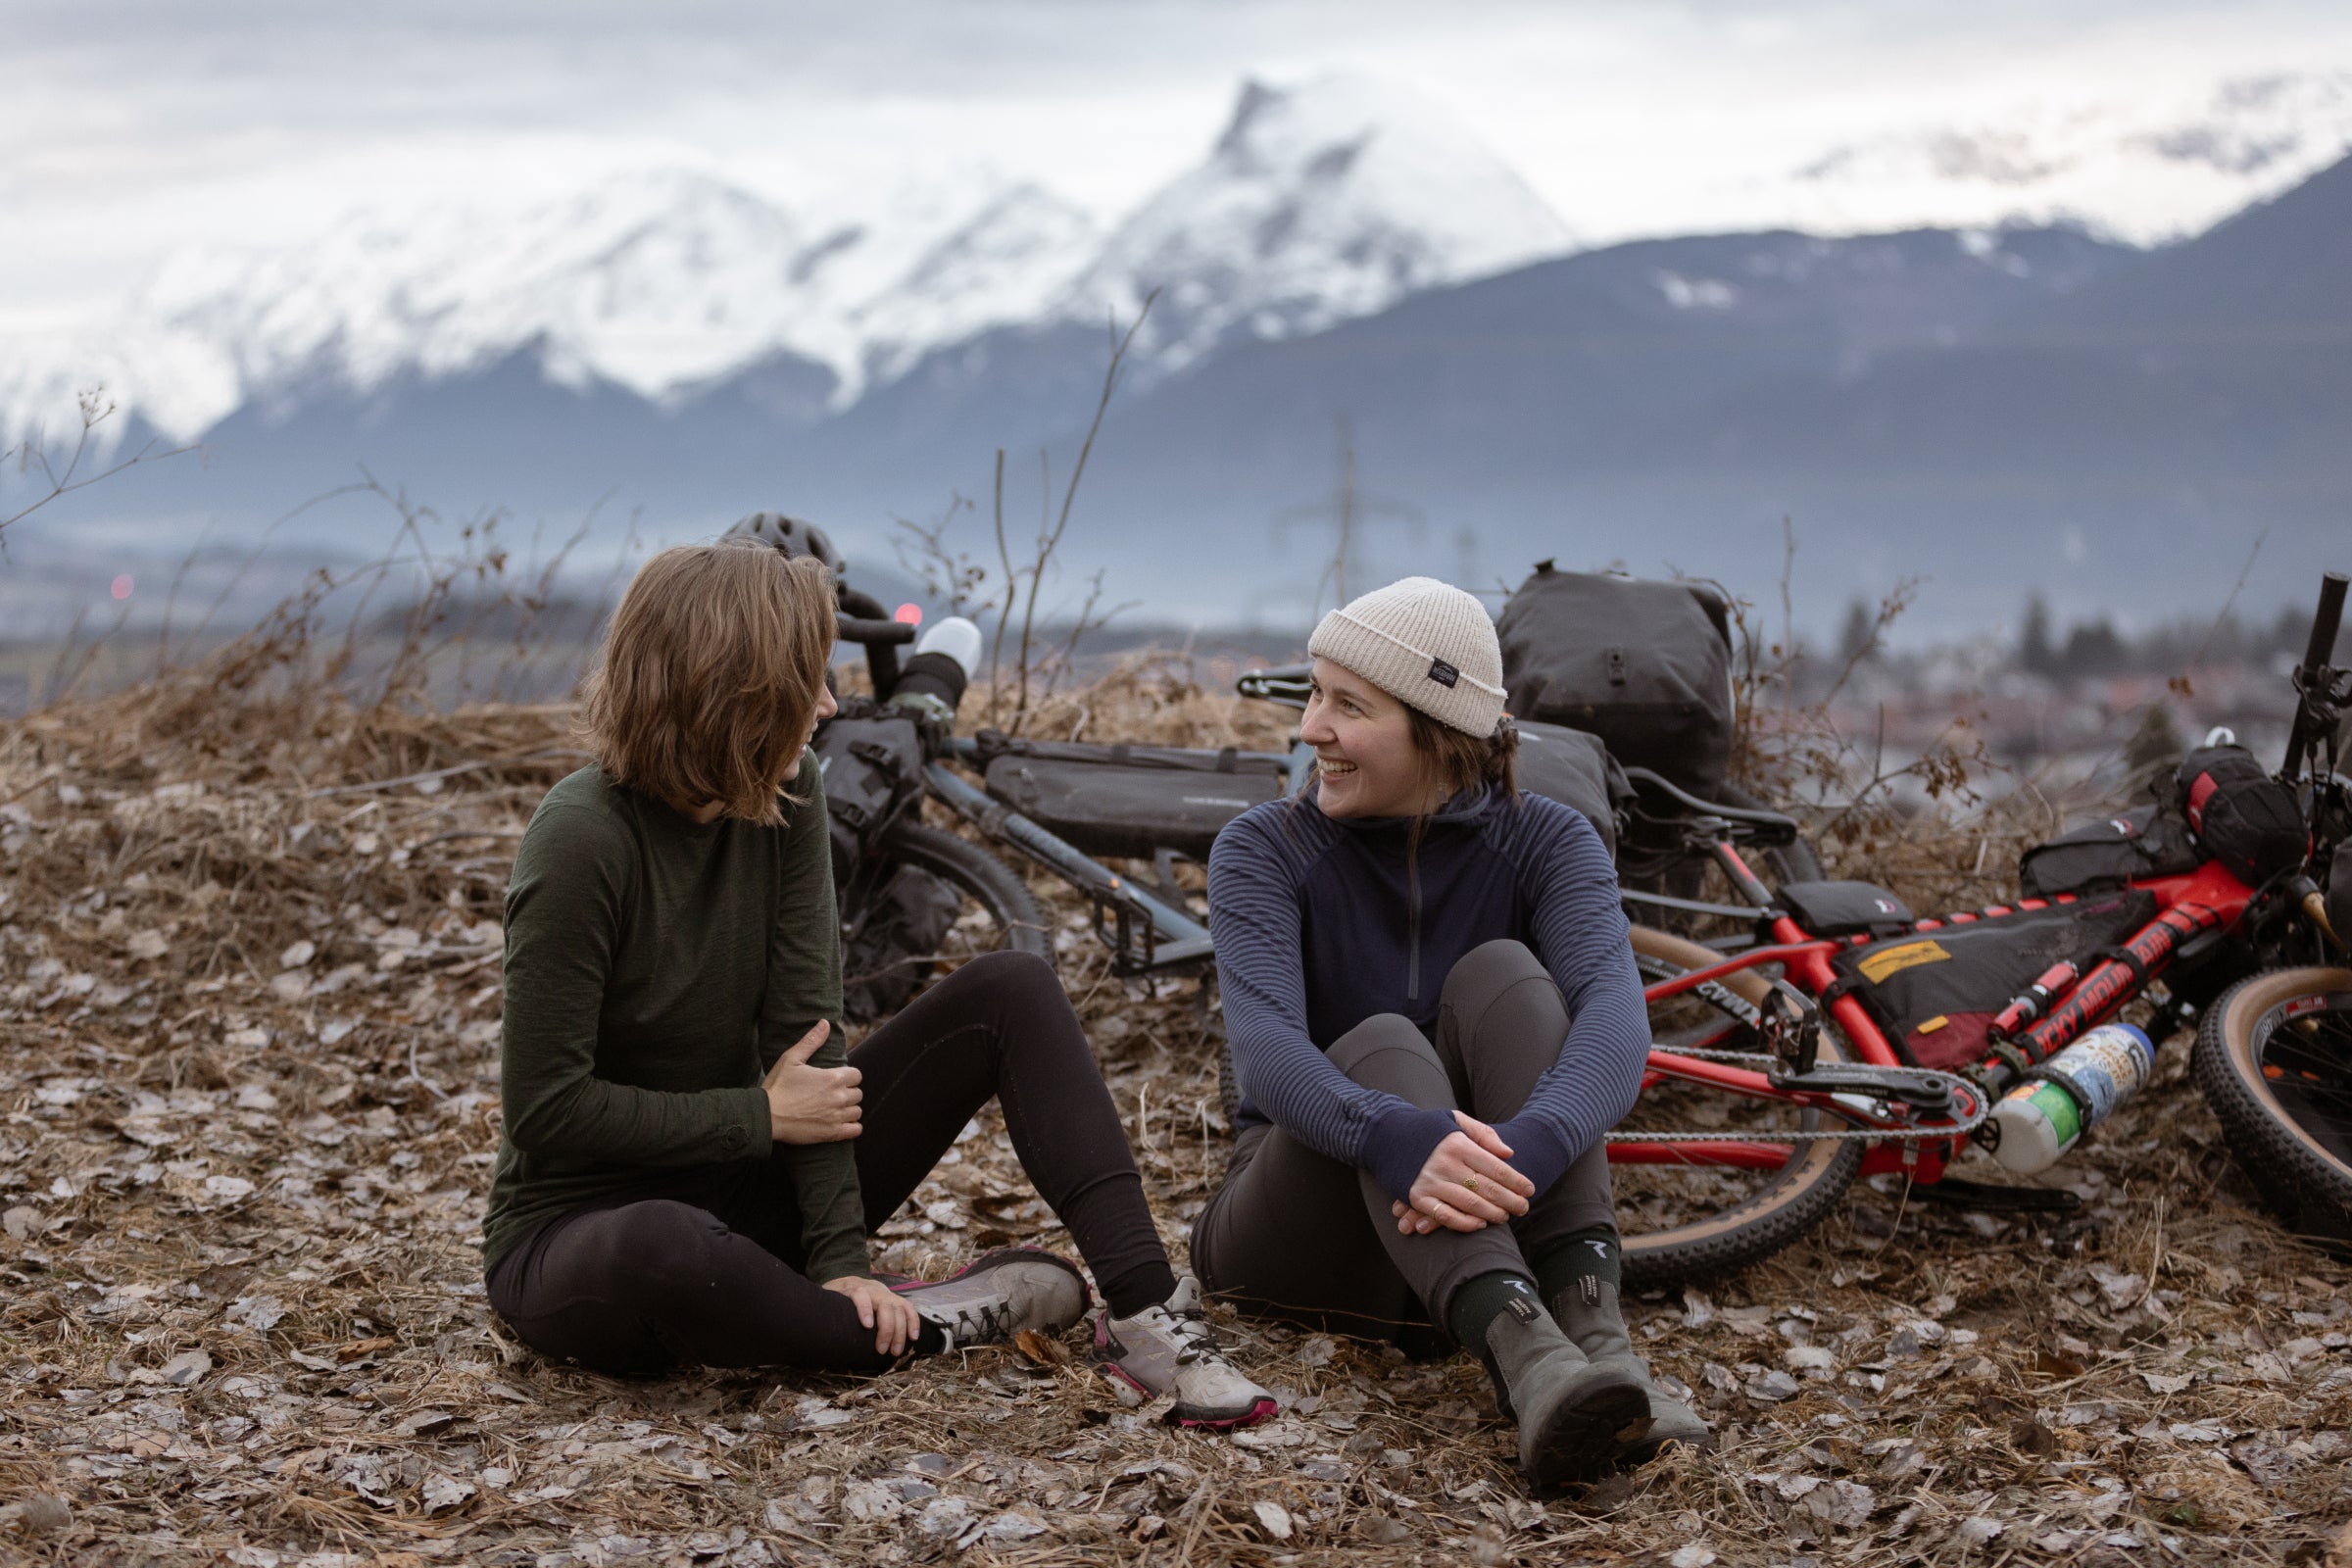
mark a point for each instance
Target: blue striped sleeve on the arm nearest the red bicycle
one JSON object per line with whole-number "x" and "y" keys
{"x": 1586, "y": 946}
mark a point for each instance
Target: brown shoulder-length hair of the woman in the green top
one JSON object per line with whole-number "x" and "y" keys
{"x": 709, "y": 676}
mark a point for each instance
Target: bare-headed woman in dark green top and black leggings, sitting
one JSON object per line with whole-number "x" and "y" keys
{"x": 693, "y": 1160}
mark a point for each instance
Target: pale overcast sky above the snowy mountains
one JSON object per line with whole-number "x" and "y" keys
{"x": 142, "y": 126}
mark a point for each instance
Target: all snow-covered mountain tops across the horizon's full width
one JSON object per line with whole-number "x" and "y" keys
{"x": 1318, "y": 203}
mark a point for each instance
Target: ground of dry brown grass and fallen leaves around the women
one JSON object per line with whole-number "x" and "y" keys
{"x": 248, "y": 1052}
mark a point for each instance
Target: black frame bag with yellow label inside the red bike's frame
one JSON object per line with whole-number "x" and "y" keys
{"x": 1935, "y": 993}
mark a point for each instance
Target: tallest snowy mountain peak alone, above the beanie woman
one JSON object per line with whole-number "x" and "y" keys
{"x": 1318, "y": 203}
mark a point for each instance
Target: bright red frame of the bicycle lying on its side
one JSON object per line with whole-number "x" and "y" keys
{"x": 2186, "y": 906}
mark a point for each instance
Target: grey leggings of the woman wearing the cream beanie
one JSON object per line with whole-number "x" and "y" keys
{"x": 1307, "y": 1238}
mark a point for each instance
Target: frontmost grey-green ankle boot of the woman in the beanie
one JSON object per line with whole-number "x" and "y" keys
{"x": 1575, "y": 1416}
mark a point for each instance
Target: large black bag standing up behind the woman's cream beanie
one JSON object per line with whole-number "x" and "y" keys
{"x": 1643, "y": 666}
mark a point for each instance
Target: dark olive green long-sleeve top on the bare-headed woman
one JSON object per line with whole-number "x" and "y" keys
{"x": 655, "y": 970}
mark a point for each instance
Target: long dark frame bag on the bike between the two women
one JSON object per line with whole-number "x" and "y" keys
{"x": 1130, "y": 800}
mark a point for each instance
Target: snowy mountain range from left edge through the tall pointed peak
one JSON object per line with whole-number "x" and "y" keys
{"x": 1316, "y": 206}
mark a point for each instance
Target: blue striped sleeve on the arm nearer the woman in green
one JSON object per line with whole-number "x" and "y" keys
{"x": 1257, "y": 871}
